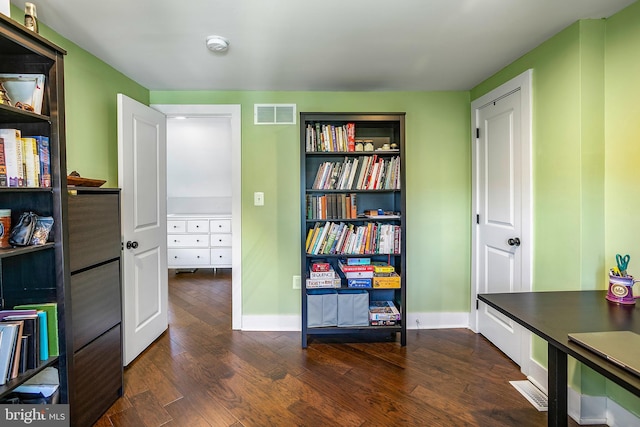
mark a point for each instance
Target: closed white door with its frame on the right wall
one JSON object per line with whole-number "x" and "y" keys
{"x": 502, "y": 242}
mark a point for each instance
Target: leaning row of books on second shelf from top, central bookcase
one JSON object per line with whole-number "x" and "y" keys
{"x": 360, "y": 173}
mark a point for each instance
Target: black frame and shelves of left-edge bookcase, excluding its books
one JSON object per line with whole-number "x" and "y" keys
{"x": 38, "y": 274}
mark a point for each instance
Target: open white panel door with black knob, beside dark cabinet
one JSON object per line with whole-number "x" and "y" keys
{"x": 142, "y": 178}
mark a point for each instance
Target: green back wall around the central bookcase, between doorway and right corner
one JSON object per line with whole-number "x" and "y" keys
{"x": 438, "y": 193}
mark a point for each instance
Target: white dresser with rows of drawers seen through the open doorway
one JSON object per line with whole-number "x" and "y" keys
{"x": 199, "y": 241}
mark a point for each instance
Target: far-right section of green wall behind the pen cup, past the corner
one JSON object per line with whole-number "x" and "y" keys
{"x": 622, "y": 152}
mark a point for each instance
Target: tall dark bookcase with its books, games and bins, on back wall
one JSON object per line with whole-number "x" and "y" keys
{"x": 352, "y": 205}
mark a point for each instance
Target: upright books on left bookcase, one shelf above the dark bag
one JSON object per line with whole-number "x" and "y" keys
{"x": 25, "y": 161}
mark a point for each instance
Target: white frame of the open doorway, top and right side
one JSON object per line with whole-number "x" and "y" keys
{"x": 233, "y": 112}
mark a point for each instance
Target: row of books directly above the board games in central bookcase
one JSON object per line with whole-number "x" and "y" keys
{"x": 350, "y": 239}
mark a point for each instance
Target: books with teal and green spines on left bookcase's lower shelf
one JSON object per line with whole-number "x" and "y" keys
{"x": 28, "y": 336}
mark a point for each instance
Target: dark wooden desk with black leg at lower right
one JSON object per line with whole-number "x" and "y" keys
{"x": 553, "y": 315}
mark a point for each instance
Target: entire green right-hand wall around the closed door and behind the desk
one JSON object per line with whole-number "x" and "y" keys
{"x": 585, "y": 88}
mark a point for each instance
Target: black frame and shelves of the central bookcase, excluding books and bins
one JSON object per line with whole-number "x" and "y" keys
{"x": 380, "y": 129}
